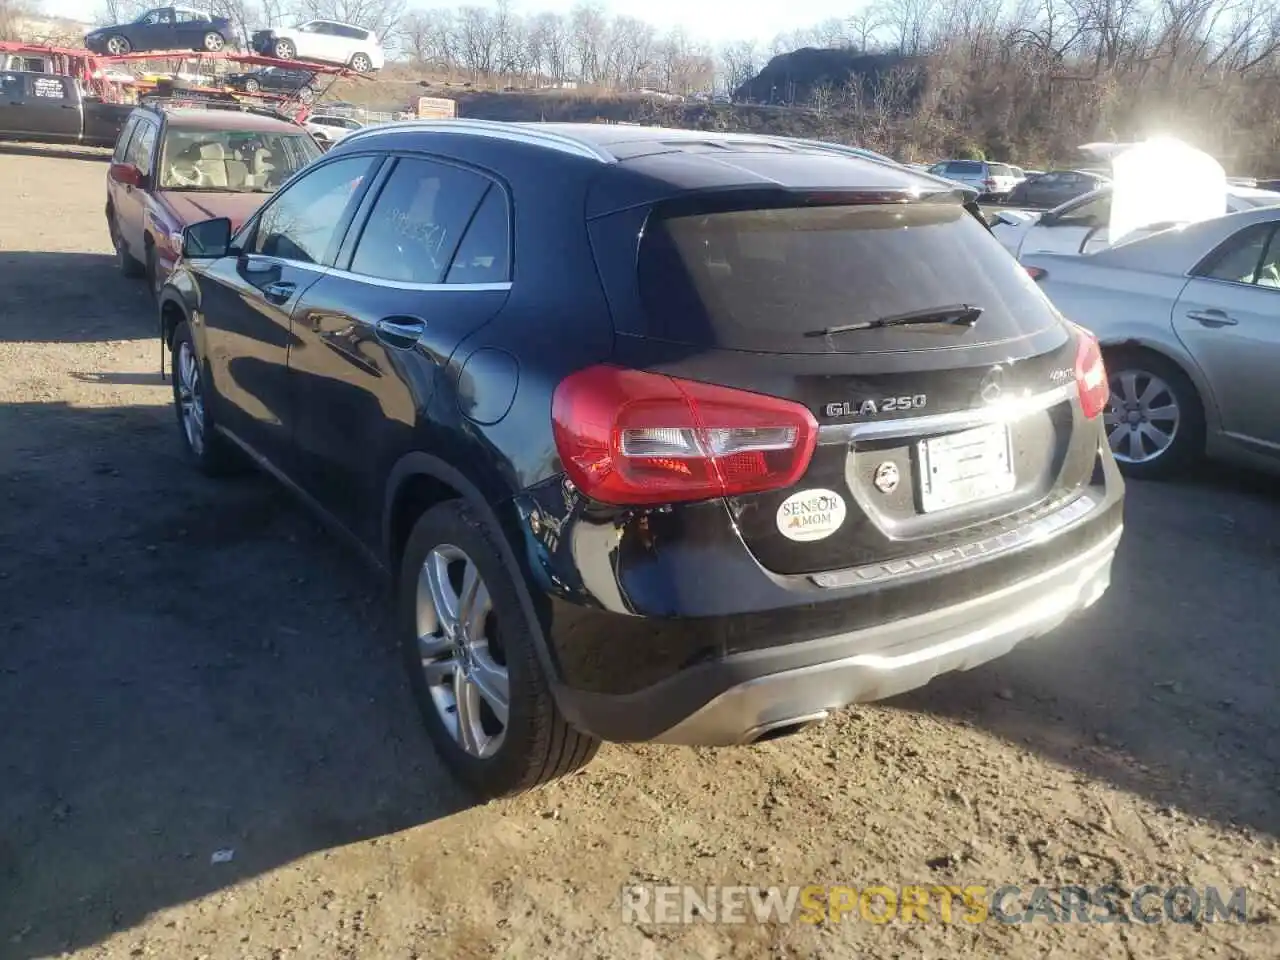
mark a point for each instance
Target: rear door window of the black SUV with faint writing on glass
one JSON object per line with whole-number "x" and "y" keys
{"x": 418, "y": 222}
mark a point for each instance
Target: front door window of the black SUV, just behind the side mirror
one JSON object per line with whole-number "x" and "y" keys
{"x": 304, "y": 222}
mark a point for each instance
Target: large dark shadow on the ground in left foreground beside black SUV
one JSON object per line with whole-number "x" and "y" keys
{"x": 186, "y": 668}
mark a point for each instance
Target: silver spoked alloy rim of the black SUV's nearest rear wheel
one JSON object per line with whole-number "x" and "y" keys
{"x": 461, "y": 653}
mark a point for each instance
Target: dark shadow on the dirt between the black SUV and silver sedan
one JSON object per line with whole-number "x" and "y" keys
{"x": 1168, "y": 687}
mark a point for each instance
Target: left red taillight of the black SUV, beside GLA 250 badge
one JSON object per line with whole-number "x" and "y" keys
{"x": 636, "y": 437}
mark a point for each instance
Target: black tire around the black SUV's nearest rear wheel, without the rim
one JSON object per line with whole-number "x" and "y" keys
{"x": 538, "y": 744}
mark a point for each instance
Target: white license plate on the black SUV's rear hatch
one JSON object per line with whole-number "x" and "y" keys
{"x": 964, "y": 468}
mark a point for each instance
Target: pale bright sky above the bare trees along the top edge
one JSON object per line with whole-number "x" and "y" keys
{"x": 715, "y": 21}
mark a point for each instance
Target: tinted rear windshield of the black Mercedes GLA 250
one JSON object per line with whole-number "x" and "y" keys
{"x": 766, "y": 280}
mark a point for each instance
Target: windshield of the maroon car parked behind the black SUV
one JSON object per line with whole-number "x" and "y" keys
{"x": 236, "y": 162}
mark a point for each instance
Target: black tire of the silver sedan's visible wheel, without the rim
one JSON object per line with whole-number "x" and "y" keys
{"x": 1188, "y": 436}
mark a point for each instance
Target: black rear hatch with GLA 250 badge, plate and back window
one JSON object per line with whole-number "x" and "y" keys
{"x": 930, "y": 435}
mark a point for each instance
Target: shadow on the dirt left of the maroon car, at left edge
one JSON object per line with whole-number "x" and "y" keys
{"x": 62, "y": 298}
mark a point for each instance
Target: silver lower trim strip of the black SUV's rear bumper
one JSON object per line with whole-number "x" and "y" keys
{"x": 743, "y": 697}
